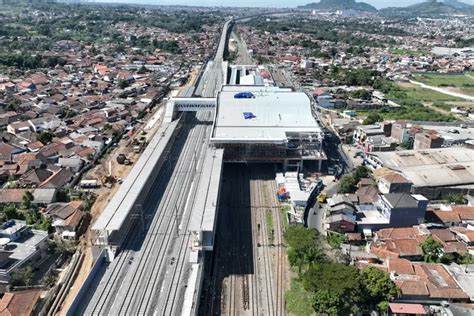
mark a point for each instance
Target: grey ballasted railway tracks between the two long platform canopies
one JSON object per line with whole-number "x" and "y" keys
{"x": 132, "y": 284}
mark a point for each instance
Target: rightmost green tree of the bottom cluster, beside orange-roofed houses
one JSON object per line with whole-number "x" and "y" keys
{"x": 378, "y": 285}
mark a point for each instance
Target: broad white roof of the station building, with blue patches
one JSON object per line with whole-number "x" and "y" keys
{"x": 275, "y": 112}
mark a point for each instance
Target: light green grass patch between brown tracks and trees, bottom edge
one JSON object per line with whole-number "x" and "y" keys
{"x": 299, "y": 301}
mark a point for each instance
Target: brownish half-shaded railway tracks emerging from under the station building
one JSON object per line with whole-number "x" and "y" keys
{"x": 247, "y": 269}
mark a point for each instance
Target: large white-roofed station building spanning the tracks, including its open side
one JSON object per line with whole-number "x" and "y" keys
{"x": 266, "y": 124}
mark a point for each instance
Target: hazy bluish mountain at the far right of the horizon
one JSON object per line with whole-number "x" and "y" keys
{"x": 431, "y": 8}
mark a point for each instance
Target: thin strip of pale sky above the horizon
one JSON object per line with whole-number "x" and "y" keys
{"x": 265, "y": 3}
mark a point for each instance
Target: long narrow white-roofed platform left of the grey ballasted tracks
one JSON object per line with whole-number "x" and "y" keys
{"x": 110, "y": 228}
